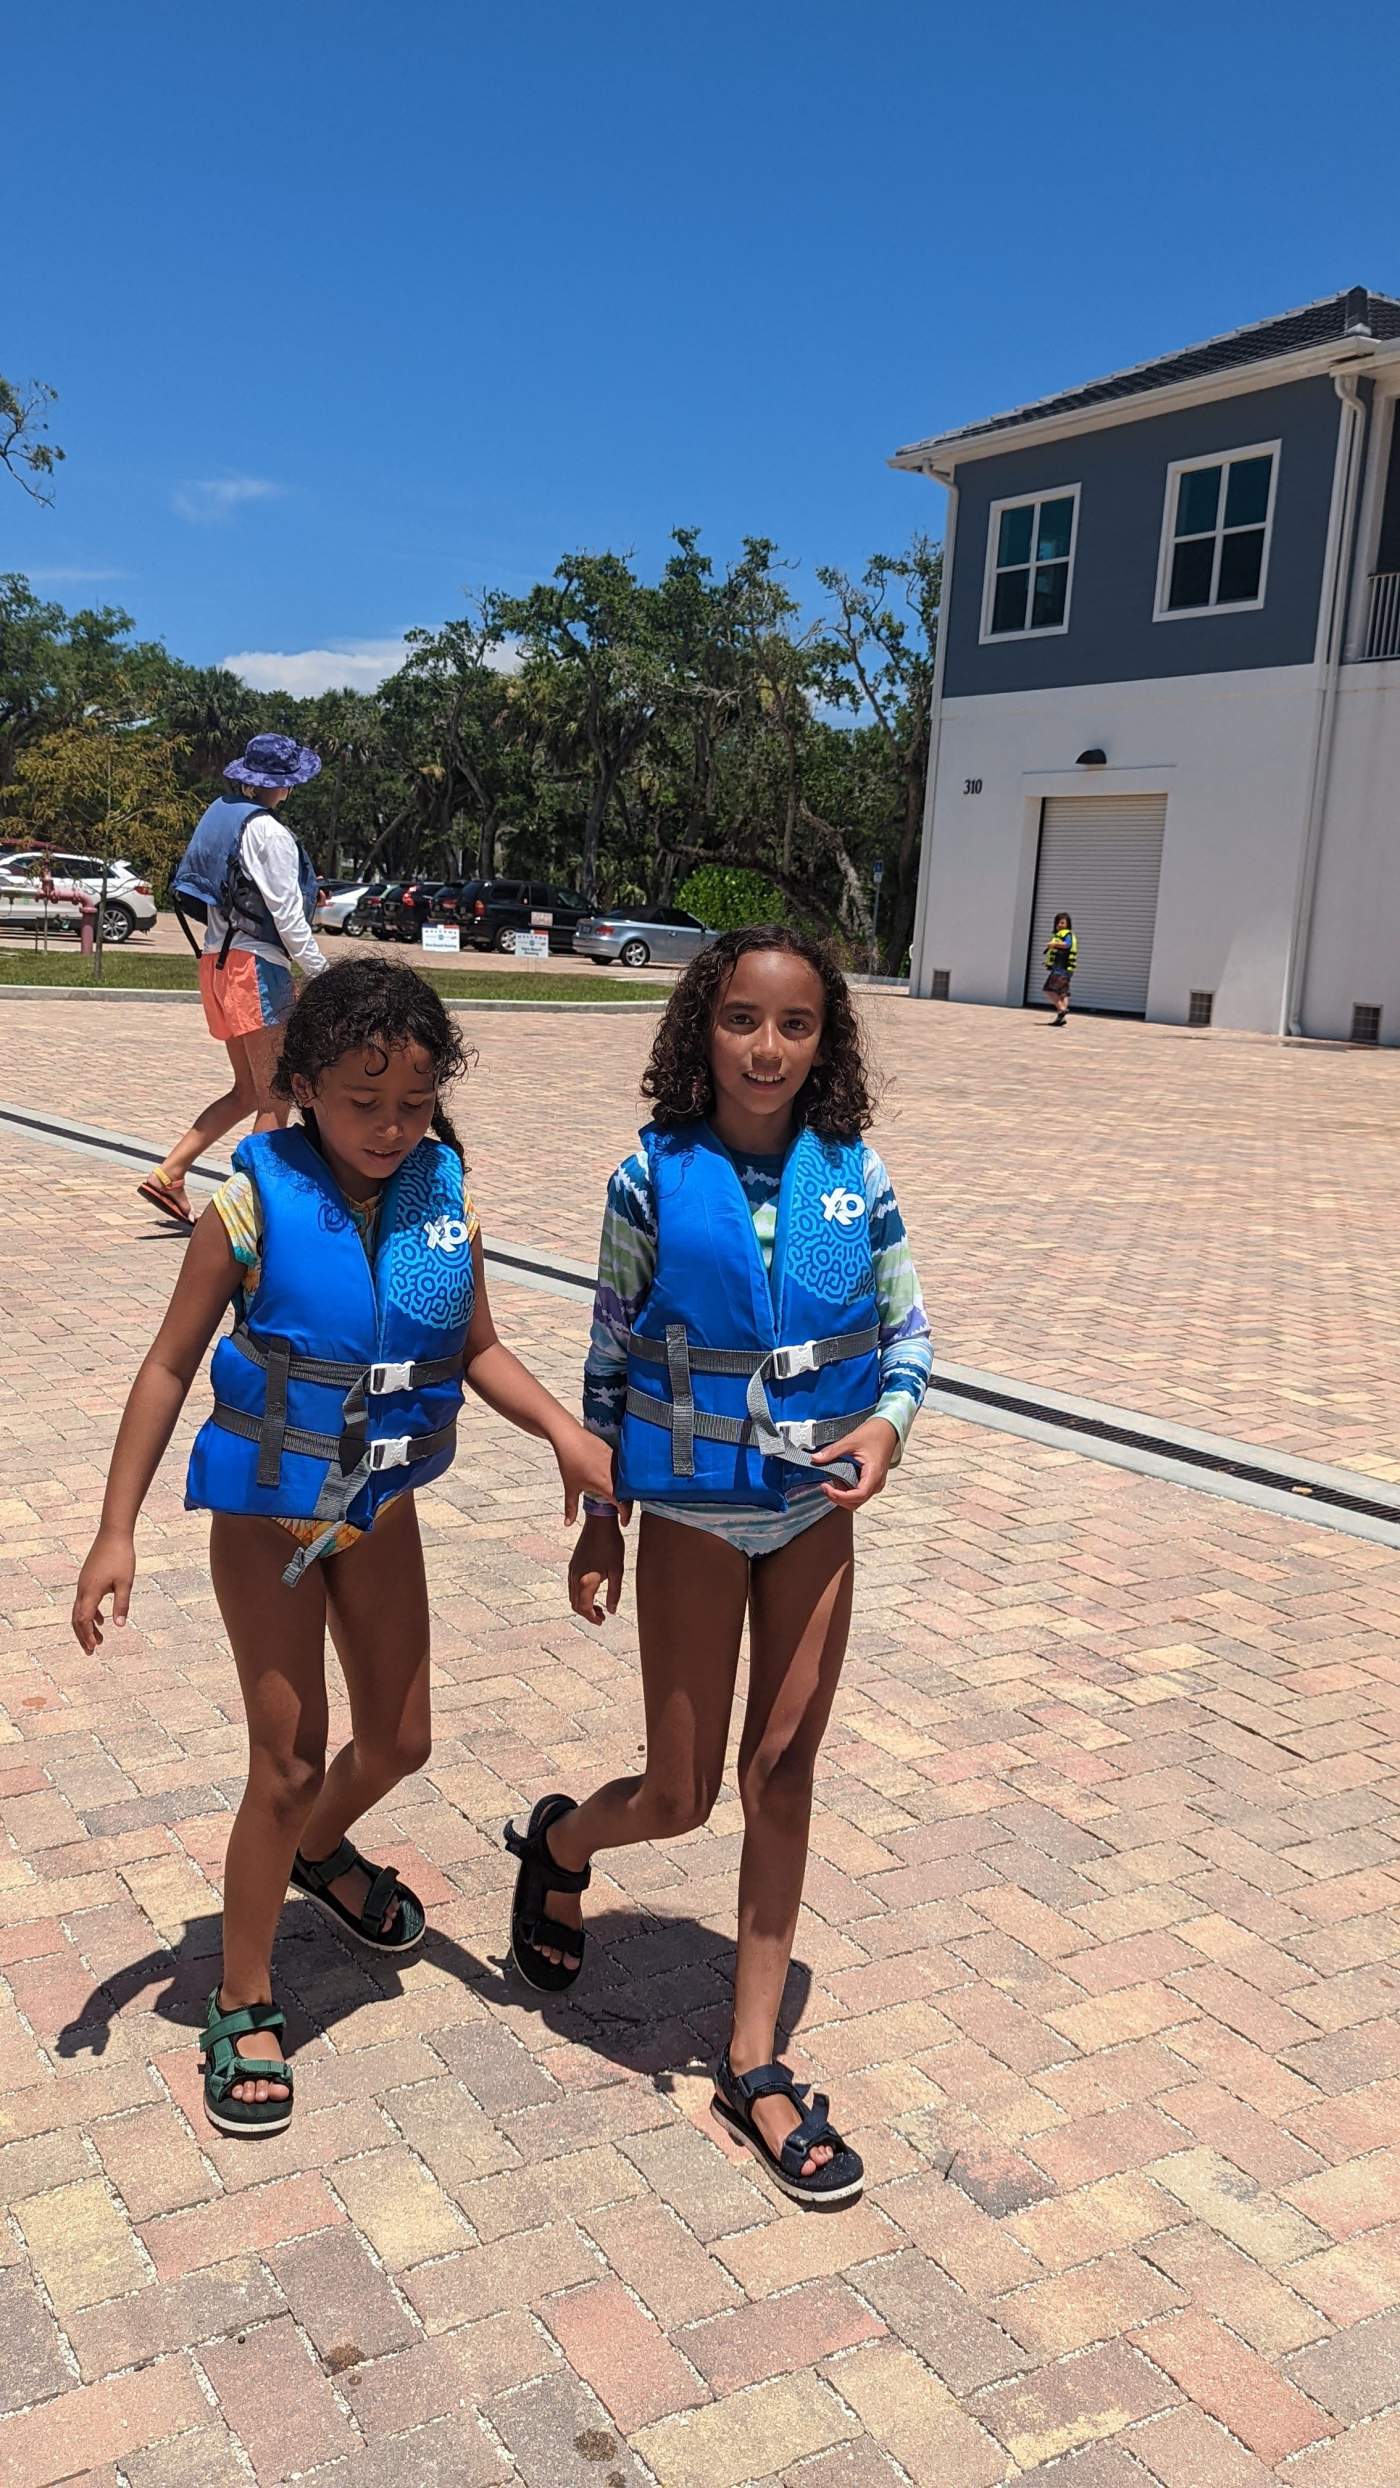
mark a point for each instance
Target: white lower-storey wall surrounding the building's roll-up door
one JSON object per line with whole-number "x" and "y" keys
{"x": 1232, "y": 758}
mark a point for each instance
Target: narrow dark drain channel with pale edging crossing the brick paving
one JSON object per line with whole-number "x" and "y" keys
{"x": 1120, "y": 1437}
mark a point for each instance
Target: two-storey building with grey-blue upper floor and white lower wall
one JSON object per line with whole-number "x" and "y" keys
{"x": 1167, "y": 685}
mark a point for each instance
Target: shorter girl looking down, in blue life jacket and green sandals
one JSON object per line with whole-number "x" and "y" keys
{"x": 352, "y": 1253}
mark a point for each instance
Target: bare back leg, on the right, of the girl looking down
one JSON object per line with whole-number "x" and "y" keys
{"x": 377, "y": 1601}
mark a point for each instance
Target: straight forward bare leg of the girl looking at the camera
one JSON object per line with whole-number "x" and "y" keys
{"x": 799, "y": 1618}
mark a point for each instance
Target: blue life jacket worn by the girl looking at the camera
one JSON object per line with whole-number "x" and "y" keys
{"x": 737, "y": 1375}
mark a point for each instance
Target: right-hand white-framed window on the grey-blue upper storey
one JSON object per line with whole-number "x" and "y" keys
{"x": 1215, "y": 534}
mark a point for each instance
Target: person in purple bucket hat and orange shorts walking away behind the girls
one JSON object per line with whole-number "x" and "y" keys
{"x": 255, "y": 889}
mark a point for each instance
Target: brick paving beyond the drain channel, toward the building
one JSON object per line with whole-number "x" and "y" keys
{"x": 1190, "y": 1225}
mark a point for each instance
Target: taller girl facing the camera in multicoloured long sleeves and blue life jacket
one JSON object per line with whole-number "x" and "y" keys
{"x": 760, "y": 1352}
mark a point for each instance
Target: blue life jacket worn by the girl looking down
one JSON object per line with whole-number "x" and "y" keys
{"x": 342, "y": 1385}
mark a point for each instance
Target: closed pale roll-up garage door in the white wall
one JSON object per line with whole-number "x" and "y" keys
{"x": 1100, "y": 857}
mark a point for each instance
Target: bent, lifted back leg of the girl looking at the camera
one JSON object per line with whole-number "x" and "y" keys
{"x": 690, "y": 1616}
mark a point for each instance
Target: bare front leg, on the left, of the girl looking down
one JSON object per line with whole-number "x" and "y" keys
{"x": 280, "y": 1651}
